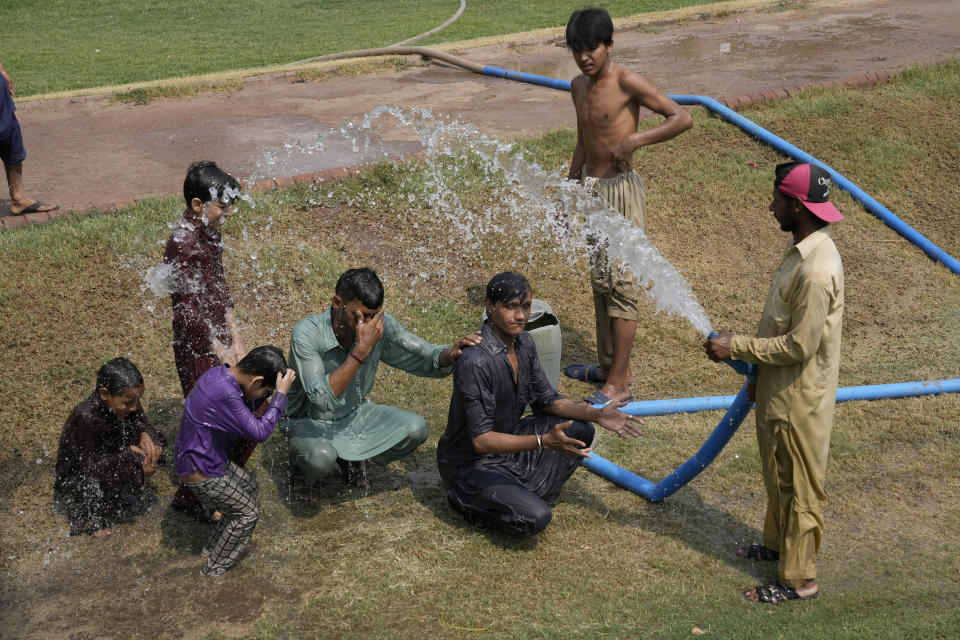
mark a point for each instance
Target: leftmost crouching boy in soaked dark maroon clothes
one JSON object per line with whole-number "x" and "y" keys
{"x": 107, "y": 451}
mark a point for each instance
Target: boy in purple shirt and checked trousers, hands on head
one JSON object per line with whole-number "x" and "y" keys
{"x": 215, "y": 415}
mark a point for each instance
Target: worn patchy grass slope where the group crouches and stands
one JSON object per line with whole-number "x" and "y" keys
{"x": 395, "y": 561}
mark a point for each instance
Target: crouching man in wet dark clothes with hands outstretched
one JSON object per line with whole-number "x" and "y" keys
{"x": 502, "y": 468}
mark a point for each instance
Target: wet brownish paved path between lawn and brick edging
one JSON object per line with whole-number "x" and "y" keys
{"x": 87, "y": 152}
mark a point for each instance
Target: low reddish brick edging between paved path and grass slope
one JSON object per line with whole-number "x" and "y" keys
{"x": 266, "y": 184}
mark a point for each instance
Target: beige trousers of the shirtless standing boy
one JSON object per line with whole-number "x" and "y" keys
{"x": 616, "y": 292}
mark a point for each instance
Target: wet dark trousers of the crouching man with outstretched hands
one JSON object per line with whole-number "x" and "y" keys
{"x": 511, "y": 495}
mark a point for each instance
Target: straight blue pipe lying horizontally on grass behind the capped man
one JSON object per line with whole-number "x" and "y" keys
{"x": 844, "y": 394}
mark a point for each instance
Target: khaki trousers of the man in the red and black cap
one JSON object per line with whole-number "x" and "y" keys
{"x": 794, "y": 463}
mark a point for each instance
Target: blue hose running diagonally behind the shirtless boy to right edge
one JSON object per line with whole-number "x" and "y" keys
{"x": 778, "y": 143}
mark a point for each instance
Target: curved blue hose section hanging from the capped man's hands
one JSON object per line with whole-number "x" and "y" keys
{"x": 690, "y": 469}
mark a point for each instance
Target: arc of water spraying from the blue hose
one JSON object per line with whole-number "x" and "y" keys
{"x": 484, "y": 203}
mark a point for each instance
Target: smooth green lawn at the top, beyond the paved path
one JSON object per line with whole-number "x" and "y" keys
{"x": 59, "y": 45}
